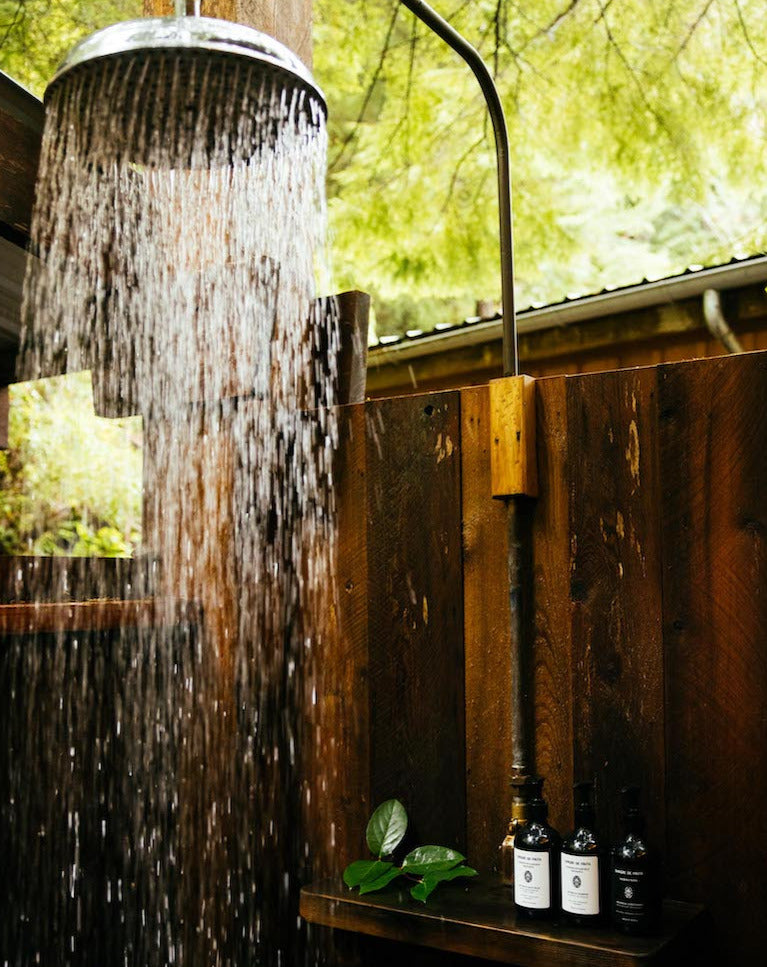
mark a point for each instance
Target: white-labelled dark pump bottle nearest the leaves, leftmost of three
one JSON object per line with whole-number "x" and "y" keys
{"x": 536, "y": 861}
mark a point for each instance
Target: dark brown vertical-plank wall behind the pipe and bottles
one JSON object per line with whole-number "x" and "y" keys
{"x": 650, "y": 560}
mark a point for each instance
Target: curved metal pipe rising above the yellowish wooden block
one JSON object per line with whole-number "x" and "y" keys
{"x": 461, "y": 46}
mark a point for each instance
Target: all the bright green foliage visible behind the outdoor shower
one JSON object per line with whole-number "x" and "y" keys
{"x": 638, "y": 136}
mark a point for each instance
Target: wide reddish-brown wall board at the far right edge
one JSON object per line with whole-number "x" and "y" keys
{"x": 713, "y": 438}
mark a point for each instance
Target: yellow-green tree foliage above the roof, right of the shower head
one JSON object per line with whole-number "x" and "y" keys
{"x": 637, "y": 143}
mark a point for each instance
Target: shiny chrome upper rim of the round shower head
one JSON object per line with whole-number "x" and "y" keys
{"x": 188, "y": 34}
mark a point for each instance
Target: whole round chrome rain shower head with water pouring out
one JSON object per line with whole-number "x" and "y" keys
{"x": 162, "y": 74}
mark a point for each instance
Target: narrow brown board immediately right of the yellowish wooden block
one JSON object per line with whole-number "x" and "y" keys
{"x": 552, "y": 681}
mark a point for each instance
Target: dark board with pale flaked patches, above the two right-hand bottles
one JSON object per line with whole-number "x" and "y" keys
{"x": 617, "y": 646}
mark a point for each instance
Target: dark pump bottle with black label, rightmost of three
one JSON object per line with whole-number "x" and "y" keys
{"x": 635, "y": 888}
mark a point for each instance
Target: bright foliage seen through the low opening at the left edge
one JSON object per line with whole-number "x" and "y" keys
{"x": 70, "y": 483}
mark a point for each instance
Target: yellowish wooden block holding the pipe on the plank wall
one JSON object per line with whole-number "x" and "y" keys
{"x": 513, "y": 463}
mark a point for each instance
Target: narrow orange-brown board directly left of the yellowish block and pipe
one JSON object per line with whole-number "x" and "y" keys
{"x": 486, "y": 640}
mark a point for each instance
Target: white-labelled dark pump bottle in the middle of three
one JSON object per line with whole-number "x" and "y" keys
{"x": 583, "y": 863}
